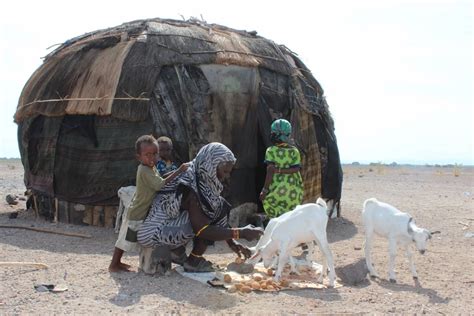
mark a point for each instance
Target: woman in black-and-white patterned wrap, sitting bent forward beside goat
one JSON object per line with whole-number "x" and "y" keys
{"x": 191, "y": 208}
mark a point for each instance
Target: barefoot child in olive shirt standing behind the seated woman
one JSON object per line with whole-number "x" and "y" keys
{"x": 148, "y": 182}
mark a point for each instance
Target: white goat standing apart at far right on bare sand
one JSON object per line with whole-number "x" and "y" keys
{"x": 398, "y": 227}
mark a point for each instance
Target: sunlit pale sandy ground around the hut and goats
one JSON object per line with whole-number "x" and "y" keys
{"x": 435, "y": 196}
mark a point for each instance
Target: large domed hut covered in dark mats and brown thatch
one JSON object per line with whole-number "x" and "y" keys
{"x": 80, "y": 113}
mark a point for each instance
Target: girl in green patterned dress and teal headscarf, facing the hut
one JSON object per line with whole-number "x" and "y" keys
{"x": 283, "y": 188}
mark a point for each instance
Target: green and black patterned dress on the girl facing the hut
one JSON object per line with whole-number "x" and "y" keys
{"x": 286, "y": 190}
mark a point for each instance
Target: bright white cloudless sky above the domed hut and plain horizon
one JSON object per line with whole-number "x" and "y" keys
{"x": 398, "y": 75}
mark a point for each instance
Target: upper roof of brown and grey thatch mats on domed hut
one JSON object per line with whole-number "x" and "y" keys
{"x": 82, "y": 76}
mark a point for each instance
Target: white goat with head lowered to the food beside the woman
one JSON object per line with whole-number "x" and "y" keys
{"x": 303, "y": 225}
